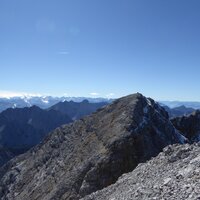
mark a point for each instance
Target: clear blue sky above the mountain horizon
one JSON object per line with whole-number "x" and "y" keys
{"x": 101, "y": 47}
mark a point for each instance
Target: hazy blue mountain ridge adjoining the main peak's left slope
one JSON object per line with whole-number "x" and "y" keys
{"x": 77, "y": 110}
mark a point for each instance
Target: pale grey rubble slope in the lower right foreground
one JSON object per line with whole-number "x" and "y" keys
{"x": 173, "y": 174}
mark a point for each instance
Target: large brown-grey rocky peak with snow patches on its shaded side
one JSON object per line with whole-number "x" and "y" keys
{"x": 91, "y": 153}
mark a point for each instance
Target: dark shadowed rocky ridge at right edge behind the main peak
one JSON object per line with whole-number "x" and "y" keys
{"x": 189, "y": 125}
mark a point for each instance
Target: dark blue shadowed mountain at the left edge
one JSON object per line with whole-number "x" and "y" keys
{"x": 22, "y": 128}
